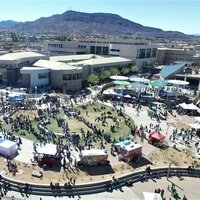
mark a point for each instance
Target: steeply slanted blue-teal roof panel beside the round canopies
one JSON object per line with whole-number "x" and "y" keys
{"x": 172, "y": 68}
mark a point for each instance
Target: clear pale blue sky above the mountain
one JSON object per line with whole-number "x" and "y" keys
{"x": 177, "y": 15}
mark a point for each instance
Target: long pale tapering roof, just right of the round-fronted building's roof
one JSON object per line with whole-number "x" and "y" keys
{"x": 101, "y": 61}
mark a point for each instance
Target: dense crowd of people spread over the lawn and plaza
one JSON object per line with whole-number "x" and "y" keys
{"x": 52, "y": 110}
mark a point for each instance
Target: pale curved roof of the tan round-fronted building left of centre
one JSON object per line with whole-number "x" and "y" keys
{"x": 55, "y": 65}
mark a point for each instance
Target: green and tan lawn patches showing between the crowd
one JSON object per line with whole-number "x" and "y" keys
{"x": 74, "y": 124}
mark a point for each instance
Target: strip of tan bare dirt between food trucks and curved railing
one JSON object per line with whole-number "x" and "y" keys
{"x": 158, "y": 158}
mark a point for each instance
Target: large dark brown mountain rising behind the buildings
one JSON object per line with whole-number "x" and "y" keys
{"x": 93, "y": 24}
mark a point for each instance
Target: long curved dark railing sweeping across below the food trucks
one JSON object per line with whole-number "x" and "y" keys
{"x": 98, "y": 187}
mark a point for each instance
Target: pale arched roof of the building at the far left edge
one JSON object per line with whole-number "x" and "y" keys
{"x": 20, "y": 55}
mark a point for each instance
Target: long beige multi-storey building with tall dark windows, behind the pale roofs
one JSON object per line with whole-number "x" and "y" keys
{"x": 140, "y": 51}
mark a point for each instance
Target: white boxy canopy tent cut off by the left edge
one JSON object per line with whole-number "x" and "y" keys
{"x": 8, "y": 148}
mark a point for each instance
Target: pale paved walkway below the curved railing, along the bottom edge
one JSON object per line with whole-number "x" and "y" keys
{"x": 188, "y": 187}
